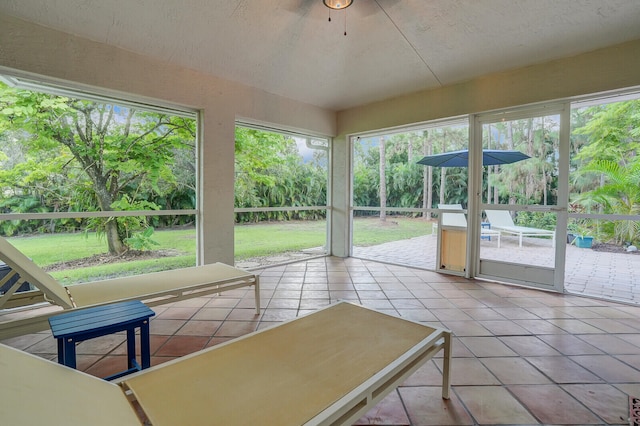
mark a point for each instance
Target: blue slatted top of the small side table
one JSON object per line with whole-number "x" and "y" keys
{"x": 99, "y": 317}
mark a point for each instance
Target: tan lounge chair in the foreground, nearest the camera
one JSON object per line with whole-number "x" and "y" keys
{"x": 328, "y": 367}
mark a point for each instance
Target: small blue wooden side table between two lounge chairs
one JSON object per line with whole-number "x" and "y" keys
{"x": 84, "y": 324}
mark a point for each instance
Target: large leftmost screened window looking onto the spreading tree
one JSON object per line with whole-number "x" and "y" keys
{"x": 96, "y": 187}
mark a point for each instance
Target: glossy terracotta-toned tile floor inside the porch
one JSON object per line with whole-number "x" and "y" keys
{"x": 521, "y": 356}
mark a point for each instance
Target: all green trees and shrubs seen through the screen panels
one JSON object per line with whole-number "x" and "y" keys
{"x": 59, "y": 154}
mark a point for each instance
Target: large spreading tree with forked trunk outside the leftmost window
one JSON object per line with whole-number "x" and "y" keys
{"x": 122, "y": 151}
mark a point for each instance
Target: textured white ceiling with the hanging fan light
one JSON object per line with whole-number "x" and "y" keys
{"x": 392, "y": 47}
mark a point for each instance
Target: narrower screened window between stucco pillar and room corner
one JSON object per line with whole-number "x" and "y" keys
{"x": 281, "y": 196}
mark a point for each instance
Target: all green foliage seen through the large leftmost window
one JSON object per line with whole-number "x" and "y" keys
{"x": 76, "y": 155}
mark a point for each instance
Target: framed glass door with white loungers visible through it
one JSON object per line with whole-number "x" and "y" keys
{"x": 520, "y": 195}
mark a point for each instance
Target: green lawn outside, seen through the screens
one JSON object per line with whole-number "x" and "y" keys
{"x": 255, "y": 240}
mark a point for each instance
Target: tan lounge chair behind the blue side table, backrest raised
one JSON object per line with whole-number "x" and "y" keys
{"x": 153, "y": 289}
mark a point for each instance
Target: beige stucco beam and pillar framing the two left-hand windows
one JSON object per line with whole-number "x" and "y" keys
{"x": 25, "y": 47}
